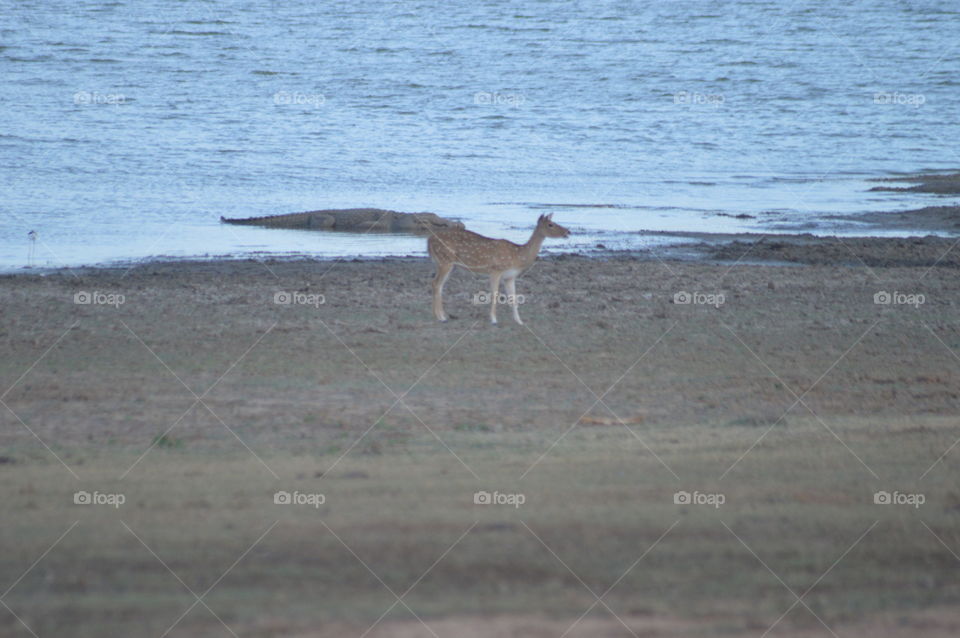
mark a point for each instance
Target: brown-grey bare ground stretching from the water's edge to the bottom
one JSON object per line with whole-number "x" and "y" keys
{"x": 199, "y": 389}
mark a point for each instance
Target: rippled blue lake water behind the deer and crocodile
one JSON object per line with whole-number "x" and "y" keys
{"x": 129, "y": 127}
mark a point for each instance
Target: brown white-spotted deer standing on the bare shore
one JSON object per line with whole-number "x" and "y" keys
{"x": 499, "y": 258}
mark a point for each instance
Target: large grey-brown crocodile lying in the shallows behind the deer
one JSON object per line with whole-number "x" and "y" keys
{"x": 356, "y": 220}
